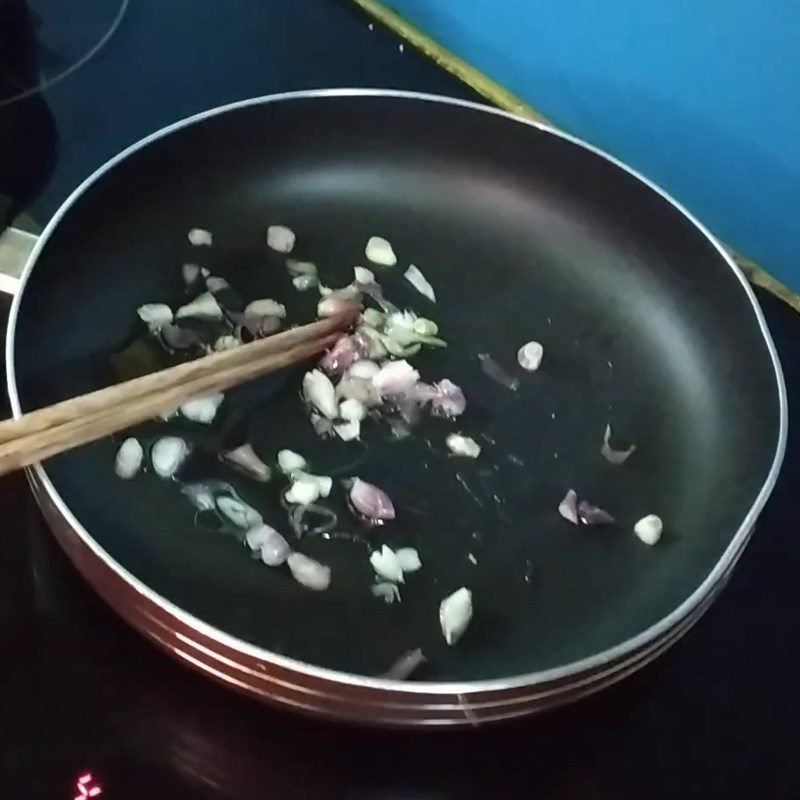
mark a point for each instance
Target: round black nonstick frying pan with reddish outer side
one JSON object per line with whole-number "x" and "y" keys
{"x": 526, "y": 234}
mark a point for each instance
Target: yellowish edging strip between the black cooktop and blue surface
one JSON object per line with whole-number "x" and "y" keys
{"x": 498, "y": 95}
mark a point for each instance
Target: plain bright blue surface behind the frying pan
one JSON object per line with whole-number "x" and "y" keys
{"x": 703, "y": 96}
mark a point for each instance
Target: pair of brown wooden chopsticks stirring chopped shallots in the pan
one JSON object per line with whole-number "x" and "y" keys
{"x": 55, "y": 429}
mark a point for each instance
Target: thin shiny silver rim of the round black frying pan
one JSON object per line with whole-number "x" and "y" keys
{"x": 540, "y": 678}
